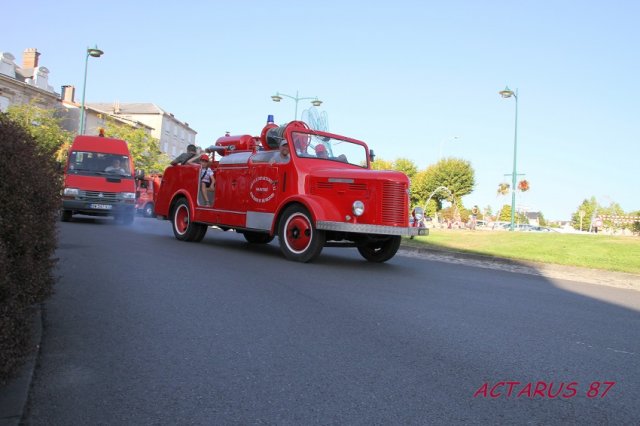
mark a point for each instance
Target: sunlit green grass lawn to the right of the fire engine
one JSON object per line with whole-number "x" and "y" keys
{"x": 612, "y": 253}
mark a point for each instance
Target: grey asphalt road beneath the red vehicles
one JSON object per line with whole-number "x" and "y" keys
{"x": 144, "y": 329}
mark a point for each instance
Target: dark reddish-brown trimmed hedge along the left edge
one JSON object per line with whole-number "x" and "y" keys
{"x": 30, "y": 201}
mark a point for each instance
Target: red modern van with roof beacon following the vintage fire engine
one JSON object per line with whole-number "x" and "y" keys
{"x": 98, "y": 179}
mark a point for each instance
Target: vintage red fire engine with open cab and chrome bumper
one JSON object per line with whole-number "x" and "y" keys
{"x": 323, "y": 193}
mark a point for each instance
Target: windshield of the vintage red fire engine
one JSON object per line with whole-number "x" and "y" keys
{"x": 329, "y": 149}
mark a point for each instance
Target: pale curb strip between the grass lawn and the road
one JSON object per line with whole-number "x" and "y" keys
{"x": 552, "y": 271}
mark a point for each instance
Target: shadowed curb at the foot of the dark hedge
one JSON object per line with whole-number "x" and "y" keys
{"x": 14, "y": 395}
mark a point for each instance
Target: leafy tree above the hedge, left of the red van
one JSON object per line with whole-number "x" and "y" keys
{"x": 43, "y": 126}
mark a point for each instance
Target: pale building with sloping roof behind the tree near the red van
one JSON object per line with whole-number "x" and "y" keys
{"x": 174, "y": 135}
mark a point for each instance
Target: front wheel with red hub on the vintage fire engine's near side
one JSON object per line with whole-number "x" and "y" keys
{"x": 299, "y": 238}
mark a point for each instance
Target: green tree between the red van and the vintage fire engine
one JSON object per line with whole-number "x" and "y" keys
{"x": 145, "y": 150}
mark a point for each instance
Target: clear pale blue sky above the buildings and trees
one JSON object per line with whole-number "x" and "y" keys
{"x": 405, "y": 76}
